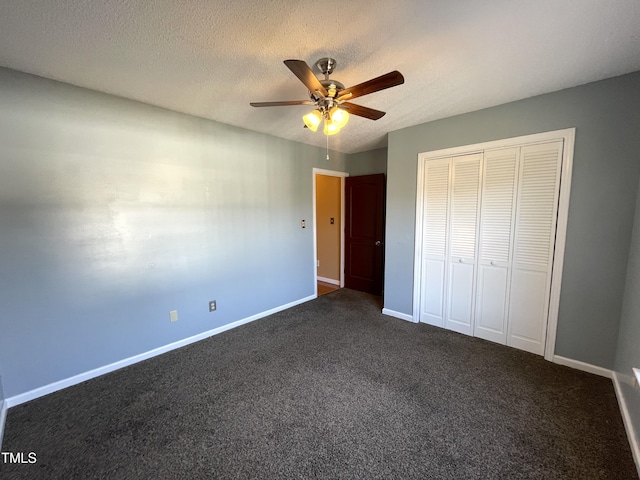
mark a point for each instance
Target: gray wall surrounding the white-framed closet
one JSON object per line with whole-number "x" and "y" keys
{"x": 603, "y": 195}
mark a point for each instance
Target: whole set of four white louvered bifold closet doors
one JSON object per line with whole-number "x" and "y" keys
{"x": 488, "y": 228}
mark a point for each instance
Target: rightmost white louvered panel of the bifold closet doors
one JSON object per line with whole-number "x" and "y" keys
{"x": 534, "y": 240}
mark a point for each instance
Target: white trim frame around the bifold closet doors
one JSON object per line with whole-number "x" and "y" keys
{"x": 568, "y": 136}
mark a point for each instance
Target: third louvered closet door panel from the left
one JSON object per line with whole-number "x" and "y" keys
{"x": 496, "y": 230}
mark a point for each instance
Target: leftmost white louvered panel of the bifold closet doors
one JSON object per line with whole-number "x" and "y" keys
{"x": 434, "y": 241}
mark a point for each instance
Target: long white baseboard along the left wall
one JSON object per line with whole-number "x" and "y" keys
{"x": 96, "y": 372}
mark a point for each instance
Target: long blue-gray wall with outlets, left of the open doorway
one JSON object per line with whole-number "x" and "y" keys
{"x": 113, "y": 213}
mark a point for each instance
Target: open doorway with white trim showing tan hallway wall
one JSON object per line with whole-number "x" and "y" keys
{"x": 328, "y": 226}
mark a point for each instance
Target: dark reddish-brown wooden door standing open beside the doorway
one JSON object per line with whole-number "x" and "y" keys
{"x": 364, "y": 233}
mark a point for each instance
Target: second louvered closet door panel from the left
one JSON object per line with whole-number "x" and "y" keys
{"x": 463, "y": 226}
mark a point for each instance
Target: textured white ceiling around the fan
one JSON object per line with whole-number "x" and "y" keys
{"x": 211, "y": 58}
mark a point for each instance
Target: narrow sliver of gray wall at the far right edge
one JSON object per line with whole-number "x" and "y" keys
{"x": 628, "y": 353}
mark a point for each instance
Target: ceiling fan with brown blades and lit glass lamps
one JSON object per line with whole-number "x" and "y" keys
{"x": 331, "y": 98}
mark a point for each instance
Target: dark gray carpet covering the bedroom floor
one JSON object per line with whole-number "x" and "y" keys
{"x": 329, "y": 389}
